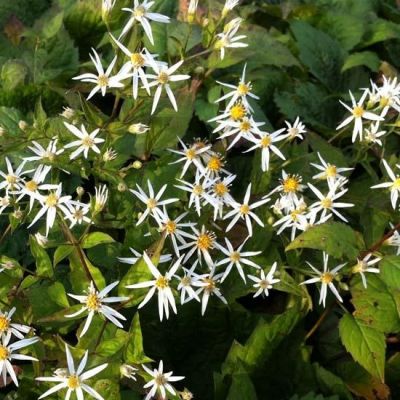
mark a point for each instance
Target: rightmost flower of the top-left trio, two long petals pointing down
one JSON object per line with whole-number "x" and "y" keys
{"x": 162, "y": 79}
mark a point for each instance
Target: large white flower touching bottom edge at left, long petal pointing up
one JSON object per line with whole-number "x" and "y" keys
{"x": 74, "y": 379}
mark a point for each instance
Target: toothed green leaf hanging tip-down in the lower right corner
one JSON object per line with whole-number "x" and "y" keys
{"x": 365, "y": 344}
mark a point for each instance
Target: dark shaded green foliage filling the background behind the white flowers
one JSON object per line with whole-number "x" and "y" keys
{"x": 303, "y": 56}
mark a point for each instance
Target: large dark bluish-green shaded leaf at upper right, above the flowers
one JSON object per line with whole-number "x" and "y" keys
{"x": 319, "y": 52}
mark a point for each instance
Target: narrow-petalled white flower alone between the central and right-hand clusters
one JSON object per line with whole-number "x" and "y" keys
{"x": 245, "y": 211}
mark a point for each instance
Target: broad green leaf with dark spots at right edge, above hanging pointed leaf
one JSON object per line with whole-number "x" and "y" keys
{"x": 375, "y": 305}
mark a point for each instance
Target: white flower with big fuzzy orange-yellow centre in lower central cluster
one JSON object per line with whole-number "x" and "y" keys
{"x": 202, "y": 242}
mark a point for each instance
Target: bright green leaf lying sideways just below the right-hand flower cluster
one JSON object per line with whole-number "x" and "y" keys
{"x": 335, "y": 238}
